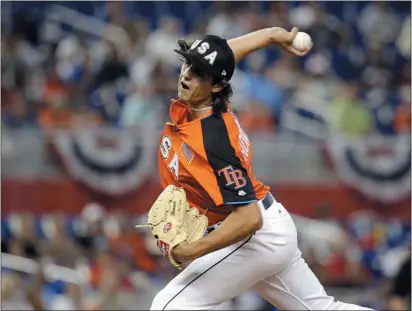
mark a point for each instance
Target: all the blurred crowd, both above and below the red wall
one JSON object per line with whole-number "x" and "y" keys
{"x": 91, "y": 64}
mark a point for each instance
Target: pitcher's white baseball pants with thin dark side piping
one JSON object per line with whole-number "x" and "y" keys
{"x": 268, "y": 262}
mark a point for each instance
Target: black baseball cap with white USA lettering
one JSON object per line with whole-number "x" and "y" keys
{"x": 212, "y": 55}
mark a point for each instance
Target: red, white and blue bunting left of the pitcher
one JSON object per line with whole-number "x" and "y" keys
{"x": 110, "y": 161}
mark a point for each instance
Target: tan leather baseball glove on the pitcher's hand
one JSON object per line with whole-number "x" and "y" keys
{"x": 172, "y": 221}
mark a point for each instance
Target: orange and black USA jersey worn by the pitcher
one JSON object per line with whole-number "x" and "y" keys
{"x": 211, "y": 159}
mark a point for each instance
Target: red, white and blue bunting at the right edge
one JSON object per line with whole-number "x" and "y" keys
{"x": 379, "y": 167}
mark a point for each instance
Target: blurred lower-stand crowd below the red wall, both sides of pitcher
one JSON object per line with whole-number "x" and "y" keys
{"x": 122, "y": 268}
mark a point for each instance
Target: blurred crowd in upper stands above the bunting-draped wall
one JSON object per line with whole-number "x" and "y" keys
{"x": 112, "y": 64}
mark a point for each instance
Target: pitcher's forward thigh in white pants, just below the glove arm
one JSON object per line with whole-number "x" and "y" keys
{"x": 210, "y": 281}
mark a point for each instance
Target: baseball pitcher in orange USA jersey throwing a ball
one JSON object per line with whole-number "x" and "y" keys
{"x": 214, "y": 217}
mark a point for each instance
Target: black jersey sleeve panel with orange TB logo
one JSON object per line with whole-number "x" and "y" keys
{"x": 234, "y": 186}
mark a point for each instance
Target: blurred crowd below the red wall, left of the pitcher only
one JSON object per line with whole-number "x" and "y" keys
{"x": 118, "y": 265}
